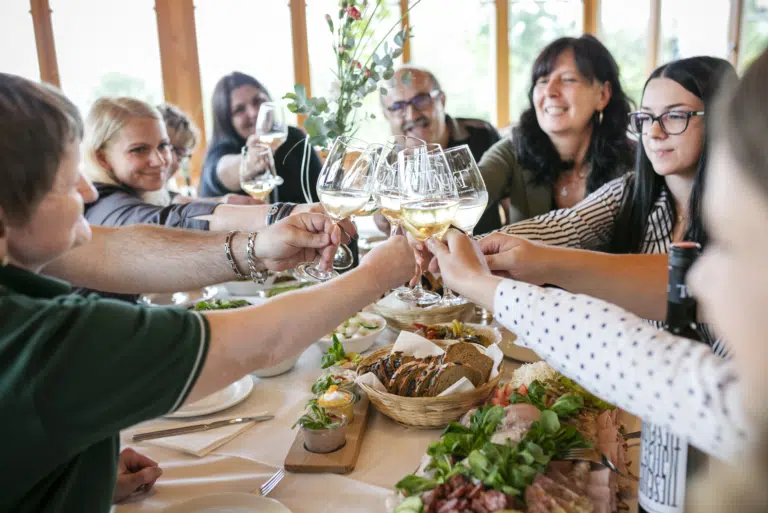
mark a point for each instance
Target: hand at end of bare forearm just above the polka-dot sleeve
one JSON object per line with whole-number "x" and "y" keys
{"x": 518, "y": 258}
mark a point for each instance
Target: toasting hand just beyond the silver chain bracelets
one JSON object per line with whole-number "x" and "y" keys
{"x": 299, "y": 238}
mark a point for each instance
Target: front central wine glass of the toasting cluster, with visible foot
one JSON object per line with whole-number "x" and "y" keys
{"x": 428, "y": 203}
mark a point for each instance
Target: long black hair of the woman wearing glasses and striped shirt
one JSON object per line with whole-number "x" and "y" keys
{"x": 701, "y": 76}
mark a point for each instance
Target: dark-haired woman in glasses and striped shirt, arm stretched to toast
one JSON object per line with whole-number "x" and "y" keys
{"x": 633, "y": 218}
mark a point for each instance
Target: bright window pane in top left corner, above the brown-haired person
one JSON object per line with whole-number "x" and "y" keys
{"x": 17, "y": 33}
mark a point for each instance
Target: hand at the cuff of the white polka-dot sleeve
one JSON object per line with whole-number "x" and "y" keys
{"x": 463, "y": 267}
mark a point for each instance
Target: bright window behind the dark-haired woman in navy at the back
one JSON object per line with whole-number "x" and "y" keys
{"x": 247, "y": 36}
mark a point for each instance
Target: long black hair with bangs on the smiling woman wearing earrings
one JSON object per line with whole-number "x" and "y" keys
{"x": 610, "y": 151}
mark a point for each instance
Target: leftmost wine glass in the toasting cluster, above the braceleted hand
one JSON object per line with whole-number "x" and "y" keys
{"x": 343, "y": 187}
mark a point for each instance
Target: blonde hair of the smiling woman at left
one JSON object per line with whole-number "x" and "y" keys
{"x": 105, "y": 120}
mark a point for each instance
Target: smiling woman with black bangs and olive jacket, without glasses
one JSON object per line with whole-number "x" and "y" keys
{"x": 573, "y": 137}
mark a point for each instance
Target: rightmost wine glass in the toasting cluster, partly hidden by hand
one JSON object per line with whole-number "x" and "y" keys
{"x": 473, "y": 198}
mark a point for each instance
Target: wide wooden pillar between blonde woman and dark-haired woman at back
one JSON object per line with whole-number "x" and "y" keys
{"x": 181, "y": 67}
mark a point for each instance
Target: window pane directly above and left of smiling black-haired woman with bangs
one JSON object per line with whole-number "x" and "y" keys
{"x": 532, "y": 25}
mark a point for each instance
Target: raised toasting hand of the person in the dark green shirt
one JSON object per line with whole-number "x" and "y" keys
{"x": 391, "y": 263}
